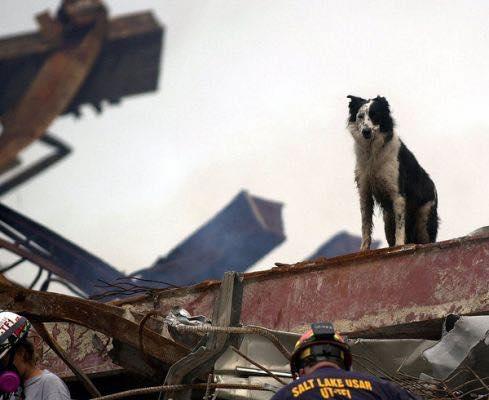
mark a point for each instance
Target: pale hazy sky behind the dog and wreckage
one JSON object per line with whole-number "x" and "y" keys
{"x": 253, "y": 95}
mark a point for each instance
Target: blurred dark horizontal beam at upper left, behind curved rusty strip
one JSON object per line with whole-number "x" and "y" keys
{"x": 128, "y": 63}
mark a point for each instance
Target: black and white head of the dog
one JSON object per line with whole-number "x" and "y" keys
{"x": 370, "y": 121}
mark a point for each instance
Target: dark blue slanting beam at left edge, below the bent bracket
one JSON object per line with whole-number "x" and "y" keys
{"x": 71, "y": 262}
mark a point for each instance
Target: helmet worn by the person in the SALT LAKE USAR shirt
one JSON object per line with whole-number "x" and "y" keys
{"x": 320, "y": 343}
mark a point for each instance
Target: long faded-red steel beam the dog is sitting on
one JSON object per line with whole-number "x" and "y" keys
{"x": 367, "y": 292}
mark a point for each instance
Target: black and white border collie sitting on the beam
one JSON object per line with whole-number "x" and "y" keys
{"x": 388, "y": 173}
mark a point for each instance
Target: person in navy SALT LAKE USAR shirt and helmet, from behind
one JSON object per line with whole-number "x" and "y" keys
{"x": 321, "y": 364}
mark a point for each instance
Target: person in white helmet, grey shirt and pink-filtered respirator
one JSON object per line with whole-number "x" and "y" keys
{"x": 20, "y": 378}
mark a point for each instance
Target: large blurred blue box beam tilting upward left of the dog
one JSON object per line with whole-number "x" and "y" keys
{"x": 238, "y": 236}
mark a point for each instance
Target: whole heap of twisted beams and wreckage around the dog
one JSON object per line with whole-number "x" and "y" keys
{"x": 415, "y": 314}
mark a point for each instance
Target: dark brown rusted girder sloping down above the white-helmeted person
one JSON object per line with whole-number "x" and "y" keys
{"x": 107, "y": 319}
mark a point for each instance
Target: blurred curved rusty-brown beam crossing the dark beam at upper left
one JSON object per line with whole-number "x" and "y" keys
{"x": 51, "y": 92}
